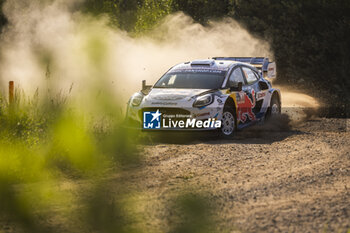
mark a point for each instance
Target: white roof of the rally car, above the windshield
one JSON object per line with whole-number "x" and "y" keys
{"x": 211, "y": 64}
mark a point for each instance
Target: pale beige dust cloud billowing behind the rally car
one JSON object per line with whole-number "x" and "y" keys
{"x": 52, "y": 47}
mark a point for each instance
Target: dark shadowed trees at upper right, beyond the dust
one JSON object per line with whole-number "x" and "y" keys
{"x": 309, "y": 39}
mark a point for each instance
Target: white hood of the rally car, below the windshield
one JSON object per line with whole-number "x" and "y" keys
{"x": 174, "y": 94}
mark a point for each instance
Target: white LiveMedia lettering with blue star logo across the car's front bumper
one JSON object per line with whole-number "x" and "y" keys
{"x": 155, "y": 120}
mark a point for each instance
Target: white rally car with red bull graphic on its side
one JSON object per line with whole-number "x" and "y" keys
{"x": 222, "y": 93}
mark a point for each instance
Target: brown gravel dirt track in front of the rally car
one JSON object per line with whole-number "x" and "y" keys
{"x": 295, "y": 180}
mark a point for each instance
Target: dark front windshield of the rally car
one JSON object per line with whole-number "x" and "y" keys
{"x": 193, "y": 79}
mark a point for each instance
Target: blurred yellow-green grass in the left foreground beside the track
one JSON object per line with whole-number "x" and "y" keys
{"x": 55, "y": 169}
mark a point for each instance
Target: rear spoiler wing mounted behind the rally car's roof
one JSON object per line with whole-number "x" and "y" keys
{"x": 261, "y": 63}
